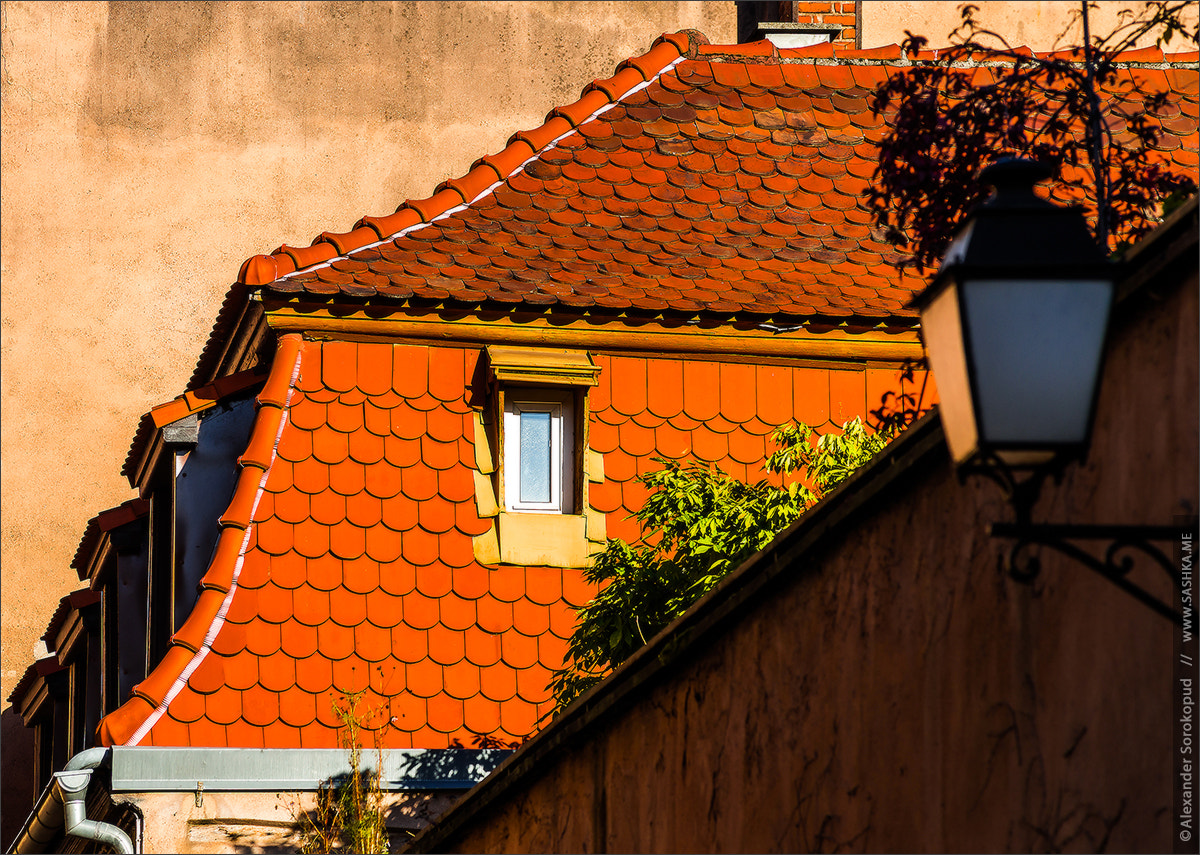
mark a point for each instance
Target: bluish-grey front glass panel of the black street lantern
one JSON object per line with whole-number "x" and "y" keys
{"x": 1036, "y": 349}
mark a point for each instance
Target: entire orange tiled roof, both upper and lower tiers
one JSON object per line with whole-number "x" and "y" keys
{"x": 701, "y": 181}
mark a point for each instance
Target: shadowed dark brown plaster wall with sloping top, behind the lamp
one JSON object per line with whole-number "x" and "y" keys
{"x": 898, "y": 693}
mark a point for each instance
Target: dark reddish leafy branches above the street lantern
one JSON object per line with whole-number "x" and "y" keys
{"x": 982, "y": 99}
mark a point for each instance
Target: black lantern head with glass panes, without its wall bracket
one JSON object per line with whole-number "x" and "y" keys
{"x": 1015, "y": 325}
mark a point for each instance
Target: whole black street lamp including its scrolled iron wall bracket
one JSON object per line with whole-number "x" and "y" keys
{"x": 1015, "y": 326}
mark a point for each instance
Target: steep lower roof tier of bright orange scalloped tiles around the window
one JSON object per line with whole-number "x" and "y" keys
{"x": 346, "y": 557}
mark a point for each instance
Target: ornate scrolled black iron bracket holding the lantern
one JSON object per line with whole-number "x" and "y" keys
{"x": 1123, "y": 543}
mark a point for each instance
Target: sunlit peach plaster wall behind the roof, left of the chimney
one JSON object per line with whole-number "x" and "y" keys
{"x": 149, "y": 148}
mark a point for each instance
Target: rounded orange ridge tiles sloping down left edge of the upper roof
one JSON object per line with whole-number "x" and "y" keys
{"x": 263, "y": 270}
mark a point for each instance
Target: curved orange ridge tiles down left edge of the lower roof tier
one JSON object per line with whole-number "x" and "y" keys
{"x": 185, "y": 654}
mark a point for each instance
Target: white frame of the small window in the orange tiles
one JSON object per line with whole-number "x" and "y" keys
{"x": 562, "y": 453}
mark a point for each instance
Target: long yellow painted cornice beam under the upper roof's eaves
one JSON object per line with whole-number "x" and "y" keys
{"x": 596, "y": 333}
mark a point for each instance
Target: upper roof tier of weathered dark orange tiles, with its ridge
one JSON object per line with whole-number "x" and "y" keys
{"x": 700, "y": 180}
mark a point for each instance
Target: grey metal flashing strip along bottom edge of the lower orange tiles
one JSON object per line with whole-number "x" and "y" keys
{"x": 182, "y": 770}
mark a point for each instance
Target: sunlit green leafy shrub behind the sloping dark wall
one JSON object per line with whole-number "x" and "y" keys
{"x": 698, "y": 525}
